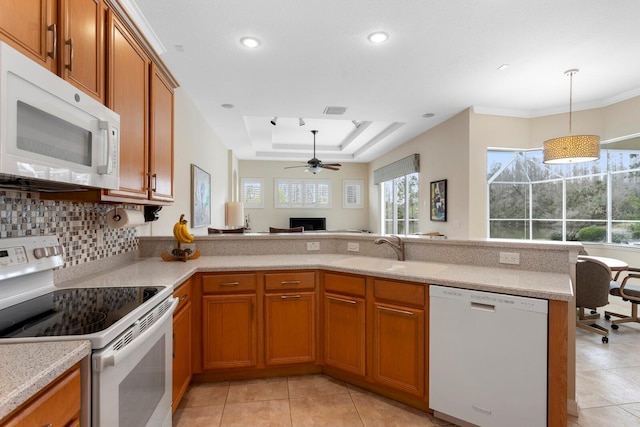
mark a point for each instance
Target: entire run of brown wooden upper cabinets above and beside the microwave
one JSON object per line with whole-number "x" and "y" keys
{"x": 96, "y": 47}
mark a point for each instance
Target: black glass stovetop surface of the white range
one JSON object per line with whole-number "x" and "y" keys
{"x": 77, "y": 311}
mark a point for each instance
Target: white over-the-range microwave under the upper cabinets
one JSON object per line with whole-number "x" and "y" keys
{"x": 51, "y": 134}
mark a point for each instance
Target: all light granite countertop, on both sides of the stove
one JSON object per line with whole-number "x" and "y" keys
{"x": 27, "y": 368}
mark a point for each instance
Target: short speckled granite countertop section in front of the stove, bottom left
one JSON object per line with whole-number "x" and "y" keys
{"x": 27, "y": 368}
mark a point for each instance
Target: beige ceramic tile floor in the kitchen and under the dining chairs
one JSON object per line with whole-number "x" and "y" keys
{"x": 607, "y": 383}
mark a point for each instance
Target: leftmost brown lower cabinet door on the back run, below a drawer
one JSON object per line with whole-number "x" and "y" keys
{"x": 229, "y": 331}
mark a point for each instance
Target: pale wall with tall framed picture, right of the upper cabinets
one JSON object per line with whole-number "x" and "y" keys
{"x": 197, "y": 143}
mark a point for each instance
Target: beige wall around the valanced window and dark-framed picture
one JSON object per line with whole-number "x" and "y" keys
{"x": 444, "y": 154}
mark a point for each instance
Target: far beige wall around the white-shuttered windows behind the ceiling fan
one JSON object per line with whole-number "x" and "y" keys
{"x": 338, "y": 218}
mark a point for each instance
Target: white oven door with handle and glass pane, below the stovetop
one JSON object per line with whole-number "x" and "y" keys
{"x": 131, "y": 378}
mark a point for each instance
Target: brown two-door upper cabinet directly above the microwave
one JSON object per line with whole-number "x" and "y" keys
{"x": 65, "y": 36}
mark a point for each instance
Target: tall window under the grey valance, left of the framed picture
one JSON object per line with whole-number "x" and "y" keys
{"x": 400, "y": 205}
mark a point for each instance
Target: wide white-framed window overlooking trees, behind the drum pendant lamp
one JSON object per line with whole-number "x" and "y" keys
{"x": 593, "y": 201}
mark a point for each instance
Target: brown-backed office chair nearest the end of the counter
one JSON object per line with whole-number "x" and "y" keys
{"x": 592, "y": 291}
